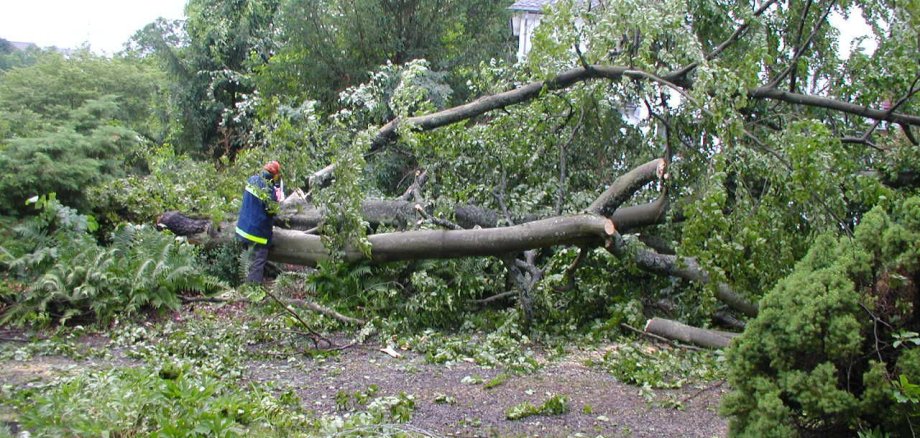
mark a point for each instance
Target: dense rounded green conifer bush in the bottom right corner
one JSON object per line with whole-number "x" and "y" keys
{"x": 833, "y": 337}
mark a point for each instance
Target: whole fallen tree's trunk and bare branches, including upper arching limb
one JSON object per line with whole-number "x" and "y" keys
{"x": 473, "y": 231}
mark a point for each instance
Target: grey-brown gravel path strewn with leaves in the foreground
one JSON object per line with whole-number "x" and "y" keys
{"x": 446, "y": 404}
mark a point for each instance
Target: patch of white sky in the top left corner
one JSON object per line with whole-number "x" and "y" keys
{"x": 105, "y": 24}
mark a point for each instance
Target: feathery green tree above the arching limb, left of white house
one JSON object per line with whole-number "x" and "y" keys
{"x": 328, "y": 45}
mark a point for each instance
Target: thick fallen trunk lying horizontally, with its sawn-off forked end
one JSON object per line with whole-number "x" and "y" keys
{"x": 599, "y": 227}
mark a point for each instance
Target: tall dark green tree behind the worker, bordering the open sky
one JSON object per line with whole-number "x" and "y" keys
{"x": 210, "y": 57}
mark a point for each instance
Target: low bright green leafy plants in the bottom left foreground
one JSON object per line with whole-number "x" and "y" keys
{"x": 143, "y": 400}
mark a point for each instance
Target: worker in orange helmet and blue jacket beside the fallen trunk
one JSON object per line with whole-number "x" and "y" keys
{"x": 261, "y": 202}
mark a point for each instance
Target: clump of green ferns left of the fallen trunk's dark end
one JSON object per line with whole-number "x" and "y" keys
{"x": 66, "y": 274}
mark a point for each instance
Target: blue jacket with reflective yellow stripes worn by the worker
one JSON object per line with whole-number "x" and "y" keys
{"x": 255, "y": 221}
